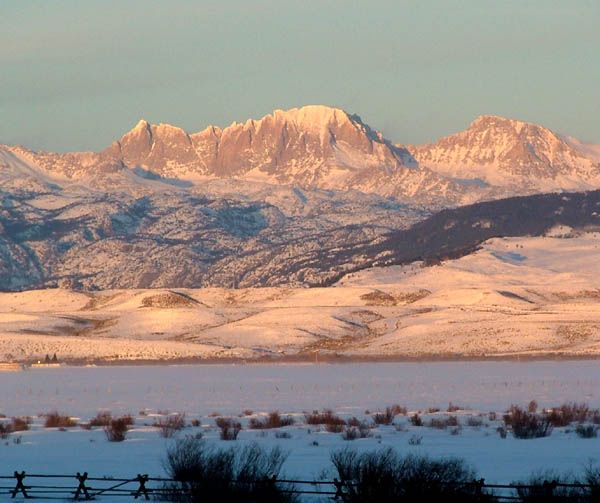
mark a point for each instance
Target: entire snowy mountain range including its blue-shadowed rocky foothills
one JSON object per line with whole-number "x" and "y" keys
{"x": 287, "y": 199}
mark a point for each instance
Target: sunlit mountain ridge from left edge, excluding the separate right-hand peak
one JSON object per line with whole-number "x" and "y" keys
{"x": 310, "y": 147}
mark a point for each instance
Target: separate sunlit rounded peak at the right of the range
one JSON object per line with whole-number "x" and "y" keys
{"x": 511, "y": 154}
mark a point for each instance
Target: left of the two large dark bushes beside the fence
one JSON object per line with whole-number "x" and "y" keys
{"x": 205, "y": 473}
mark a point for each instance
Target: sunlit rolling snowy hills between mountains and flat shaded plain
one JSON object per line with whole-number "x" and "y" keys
{"x": 513, "y": 297}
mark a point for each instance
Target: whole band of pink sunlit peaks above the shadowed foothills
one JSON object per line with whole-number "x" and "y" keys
{"x": 321, "y": 147}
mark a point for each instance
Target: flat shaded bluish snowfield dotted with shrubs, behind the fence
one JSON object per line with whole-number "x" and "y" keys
{"x": 348, "y": 389}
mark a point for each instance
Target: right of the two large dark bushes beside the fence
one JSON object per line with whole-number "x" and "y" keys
{"x": 384, "y": 476}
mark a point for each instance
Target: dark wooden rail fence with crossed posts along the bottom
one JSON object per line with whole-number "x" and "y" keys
{"x": 81, "y": 487}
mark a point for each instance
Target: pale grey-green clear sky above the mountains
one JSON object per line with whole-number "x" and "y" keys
{"x": 75, "y": 75}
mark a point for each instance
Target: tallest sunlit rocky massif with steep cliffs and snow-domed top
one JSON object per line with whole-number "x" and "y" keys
{"x": 309, "y": 146}
